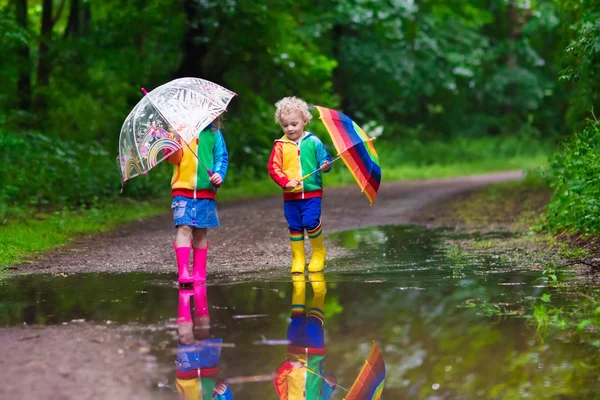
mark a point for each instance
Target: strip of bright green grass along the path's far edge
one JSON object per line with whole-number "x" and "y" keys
{"x": 22, "y": 237}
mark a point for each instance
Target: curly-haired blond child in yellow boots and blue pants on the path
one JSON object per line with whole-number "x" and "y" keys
{"x": 297, "y": 153}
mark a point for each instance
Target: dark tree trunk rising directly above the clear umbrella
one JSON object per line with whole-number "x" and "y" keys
{"x": 194, "y": 49}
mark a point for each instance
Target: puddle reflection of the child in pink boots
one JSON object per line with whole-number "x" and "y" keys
{"x": 198, "y": 353}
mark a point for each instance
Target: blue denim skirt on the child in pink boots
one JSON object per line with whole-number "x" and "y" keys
{"x": 198, "y": 213}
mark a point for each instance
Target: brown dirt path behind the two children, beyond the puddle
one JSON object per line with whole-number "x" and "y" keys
{"x": 253, "y": 234}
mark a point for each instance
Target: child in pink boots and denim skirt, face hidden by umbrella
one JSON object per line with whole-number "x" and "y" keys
{"x": 194, "y": 206}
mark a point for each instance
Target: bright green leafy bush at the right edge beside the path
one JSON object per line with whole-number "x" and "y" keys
{"x": 574, "y": 174}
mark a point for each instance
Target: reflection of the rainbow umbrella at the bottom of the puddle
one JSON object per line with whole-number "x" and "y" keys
{"x": 370, "y": 381}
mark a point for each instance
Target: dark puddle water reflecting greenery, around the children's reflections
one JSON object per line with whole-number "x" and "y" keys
{"x": 400, "y": 286}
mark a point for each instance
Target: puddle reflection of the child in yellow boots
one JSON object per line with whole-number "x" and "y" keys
{"x": 302, "y": 374}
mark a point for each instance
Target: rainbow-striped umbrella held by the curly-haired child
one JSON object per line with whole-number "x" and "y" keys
{"x": 355, "y": 148}
